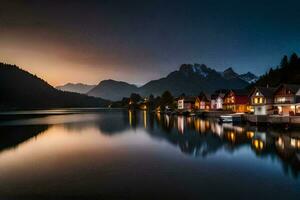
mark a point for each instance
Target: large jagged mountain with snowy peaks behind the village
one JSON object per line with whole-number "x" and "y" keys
{"x": 191, "y": 79}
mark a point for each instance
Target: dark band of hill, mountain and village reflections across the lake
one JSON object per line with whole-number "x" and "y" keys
{"x": 192, "y": 135}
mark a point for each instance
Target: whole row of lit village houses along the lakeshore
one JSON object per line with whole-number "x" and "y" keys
{"x": 260, "y": 105}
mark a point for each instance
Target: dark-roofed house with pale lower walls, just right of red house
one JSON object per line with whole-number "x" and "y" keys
{"x": 262, "y": 99}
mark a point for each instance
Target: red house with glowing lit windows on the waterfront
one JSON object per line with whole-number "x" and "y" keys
{"x": 236, "y": 101}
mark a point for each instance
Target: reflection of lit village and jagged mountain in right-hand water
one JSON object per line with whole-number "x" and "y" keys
{"x": 199, "y": 137}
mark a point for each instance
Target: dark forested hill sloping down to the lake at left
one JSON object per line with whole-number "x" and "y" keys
{"x": 21, "y": 90}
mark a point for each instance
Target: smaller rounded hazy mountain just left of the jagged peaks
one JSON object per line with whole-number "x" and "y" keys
{"x": 113, "y": 90}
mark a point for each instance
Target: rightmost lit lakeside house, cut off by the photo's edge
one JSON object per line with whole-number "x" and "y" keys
{"x": 287, "y": 99}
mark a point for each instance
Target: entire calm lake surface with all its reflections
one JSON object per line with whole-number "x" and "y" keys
{"x": 121, "y": 155}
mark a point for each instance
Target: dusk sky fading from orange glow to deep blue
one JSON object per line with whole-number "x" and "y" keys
{"x": 137, "y": 41}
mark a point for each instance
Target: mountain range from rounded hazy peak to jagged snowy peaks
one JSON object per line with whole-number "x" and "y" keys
{"x": 189, "y": 79}
